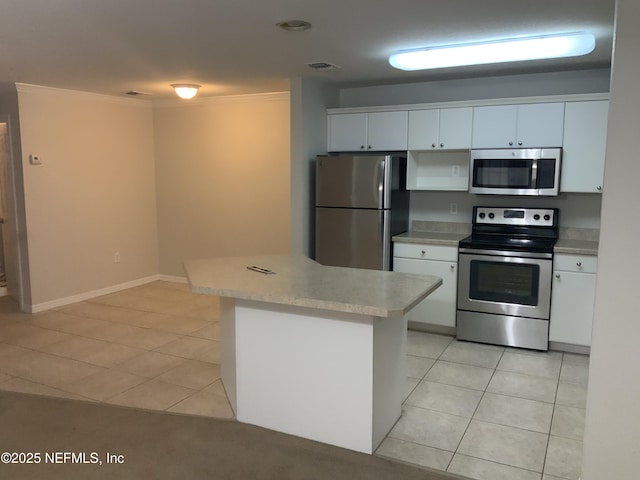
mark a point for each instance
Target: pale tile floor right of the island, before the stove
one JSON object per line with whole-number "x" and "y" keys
{"x": 490, "y": 413}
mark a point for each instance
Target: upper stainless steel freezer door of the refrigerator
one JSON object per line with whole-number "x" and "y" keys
{"x": 358, "y": 181}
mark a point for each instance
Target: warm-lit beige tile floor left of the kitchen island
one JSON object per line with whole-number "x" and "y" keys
{"x": 154, "y": 347}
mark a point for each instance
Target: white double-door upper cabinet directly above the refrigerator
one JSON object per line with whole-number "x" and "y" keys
{"x": 378, "y": 131}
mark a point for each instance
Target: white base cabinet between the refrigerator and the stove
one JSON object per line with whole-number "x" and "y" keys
{"x": 439, "y": 308}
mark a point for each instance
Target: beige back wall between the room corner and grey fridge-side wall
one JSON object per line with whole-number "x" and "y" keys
{"x": 222, "y": 178}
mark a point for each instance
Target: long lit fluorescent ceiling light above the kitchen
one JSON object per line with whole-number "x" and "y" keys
{"x": 508, "y": 50}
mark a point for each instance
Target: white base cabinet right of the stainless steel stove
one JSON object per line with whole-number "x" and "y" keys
{"x": 572, "y": 296}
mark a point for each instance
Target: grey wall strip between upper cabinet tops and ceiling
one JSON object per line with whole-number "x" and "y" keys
{"x": 539, "y": 84}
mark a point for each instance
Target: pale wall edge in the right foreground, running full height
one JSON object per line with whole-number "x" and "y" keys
{"x": 612, "y": 430}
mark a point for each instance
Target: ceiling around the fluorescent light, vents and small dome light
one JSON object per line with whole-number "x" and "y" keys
{"x": 234, "y": 46}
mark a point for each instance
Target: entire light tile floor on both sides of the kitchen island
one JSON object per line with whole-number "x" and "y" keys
{"x": 476, "y": 410}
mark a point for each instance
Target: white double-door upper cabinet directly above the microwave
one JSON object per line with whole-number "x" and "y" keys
{"x": 518, "y": 126}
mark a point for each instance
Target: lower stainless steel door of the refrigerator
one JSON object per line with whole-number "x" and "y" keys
{"x": 353, "y": 238}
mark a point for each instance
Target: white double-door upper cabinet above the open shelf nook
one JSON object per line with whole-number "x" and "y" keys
{"x": 440, "y": 129}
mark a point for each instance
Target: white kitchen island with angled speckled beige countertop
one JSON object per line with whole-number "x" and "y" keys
{"x": 312, "y": 350}
